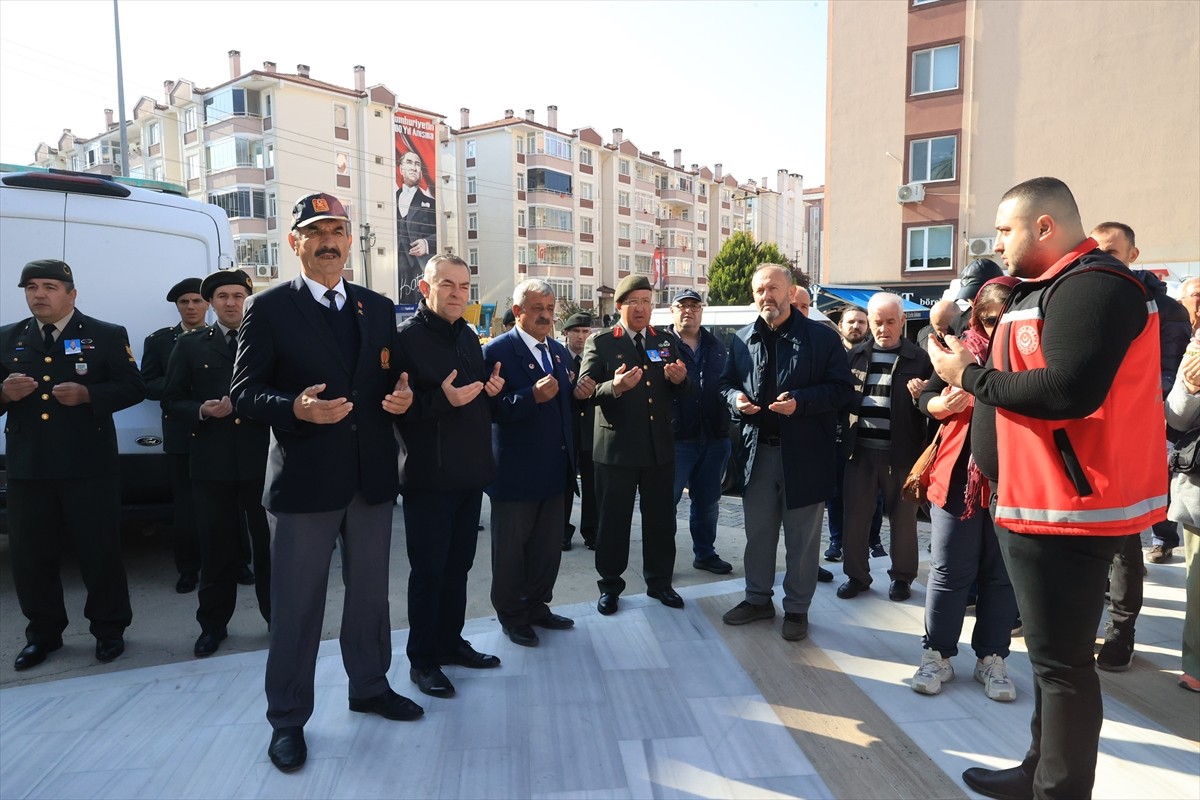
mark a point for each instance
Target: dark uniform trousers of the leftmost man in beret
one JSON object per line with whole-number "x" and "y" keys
{"x": 41, "y": 514}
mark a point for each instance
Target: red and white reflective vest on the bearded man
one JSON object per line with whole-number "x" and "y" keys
{"x": 1101, "y": 476}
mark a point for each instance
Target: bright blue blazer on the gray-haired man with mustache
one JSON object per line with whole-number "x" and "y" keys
{"x": 532, "y": 442}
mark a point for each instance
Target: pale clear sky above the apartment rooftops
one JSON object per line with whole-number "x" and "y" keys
{"x": 741, "y": 83}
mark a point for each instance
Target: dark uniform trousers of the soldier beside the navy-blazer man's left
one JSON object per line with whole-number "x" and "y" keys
{"x": 223, "y": 509}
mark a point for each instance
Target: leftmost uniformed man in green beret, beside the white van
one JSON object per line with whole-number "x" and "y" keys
{"x": 65, "y": 375}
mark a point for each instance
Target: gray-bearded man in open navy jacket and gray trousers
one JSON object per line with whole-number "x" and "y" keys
{"x": 787, "y": 377}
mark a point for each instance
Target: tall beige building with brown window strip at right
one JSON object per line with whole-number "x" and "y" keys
{"x": 956, "y": 101}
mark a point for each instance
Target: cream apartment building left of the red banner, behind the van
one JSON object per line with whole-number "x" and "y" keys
{"x": 256, "y": 143}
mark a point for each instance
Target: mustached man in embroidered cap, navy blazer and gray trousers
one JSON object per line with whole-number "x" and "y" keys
{"x": 332, "y": 470}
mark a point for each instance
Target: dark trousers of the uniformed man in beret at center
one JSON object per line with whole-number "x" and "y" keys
{"x": 616, "y": 490}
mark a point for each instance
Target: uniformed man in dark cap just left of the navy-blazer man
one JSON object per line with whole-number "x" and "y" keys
{"x": 227, "y": 462}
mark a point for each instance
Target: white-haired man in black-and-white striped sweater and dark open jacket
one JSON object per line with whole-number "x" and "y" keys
{"x": 887, "y": 434}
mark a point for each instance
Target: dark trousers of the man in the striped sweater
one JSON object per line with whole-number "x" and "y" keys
{"x": 867, "y": 474}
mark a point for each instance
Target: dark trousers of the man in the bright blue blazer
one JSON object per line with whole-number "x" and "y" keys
{"x": 526, "y": 555}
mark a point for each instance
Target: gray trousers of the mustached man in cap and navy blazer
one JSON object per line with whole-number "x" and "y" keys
{"x": 302, "y": 548}
